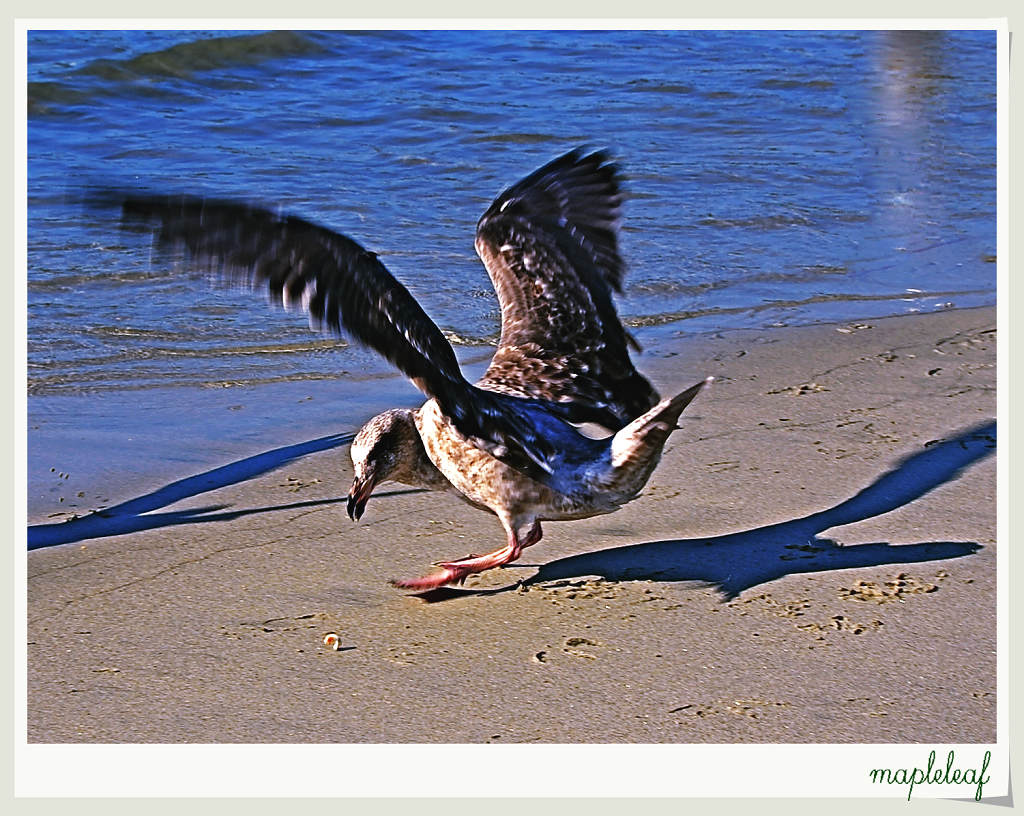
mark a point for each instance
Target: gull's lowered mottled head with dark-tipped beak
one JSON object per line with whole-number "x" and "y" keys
{"x": 379, "y": 452}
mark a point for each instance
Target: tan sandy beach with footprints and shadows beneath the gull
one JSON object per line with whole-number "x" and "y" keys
{"x": 815, "y": 561}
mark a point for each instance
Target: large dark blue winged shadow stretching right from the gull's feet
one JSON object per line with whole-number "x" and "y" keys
{"x": 739, "y": 562}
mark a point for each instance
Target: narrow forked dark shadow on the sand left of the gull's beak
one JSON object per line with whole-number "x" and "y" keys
{"x": 138, "y": 514}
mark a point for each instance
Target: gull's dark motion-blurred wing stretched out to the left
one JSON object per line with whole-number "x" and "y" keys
{"x": 347, "y": 290}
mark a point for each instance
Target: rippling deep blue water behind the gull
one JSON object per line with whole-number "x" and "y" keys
{"x": 775, "y": 179}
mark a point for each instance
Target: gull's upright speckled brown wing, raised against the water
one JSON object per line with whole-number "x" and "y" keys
{"x": 550, "y": 245}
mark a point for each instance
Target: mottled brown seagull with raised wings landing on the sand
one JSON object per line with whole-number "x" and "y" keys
{"x": 514, "y": 443}
